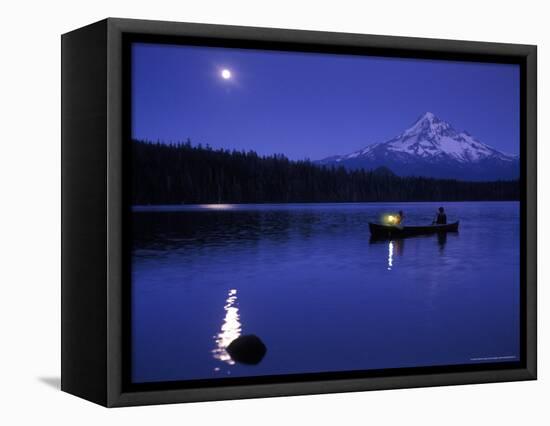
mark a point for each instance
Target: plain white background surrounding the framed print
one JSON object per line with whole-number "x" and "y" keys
{"x": 30, "y": 211}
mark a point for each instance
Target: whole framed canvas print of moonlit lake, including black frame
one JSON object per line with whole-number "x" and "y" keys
{"x": 254, "y": 212}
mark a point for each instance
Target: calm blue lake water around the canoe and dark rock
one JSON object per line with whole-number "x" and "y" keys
{"x": 308, "y": 281}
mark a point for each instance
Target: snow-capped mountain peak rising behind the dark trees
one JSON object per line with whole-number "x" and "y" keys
{"x": 432, "y": 147}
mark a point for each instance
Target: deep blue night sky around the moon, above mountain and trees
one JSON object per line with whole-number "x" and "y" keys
{"x": 309, "y": 105}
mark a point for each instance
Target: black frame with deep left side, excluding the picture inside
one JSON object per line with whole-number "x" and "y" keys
{"x": 96, "y": 220}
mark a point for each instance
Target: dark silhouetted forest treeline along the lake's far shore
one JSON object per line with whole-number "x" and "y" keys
{"x": 183, "y": 173}
